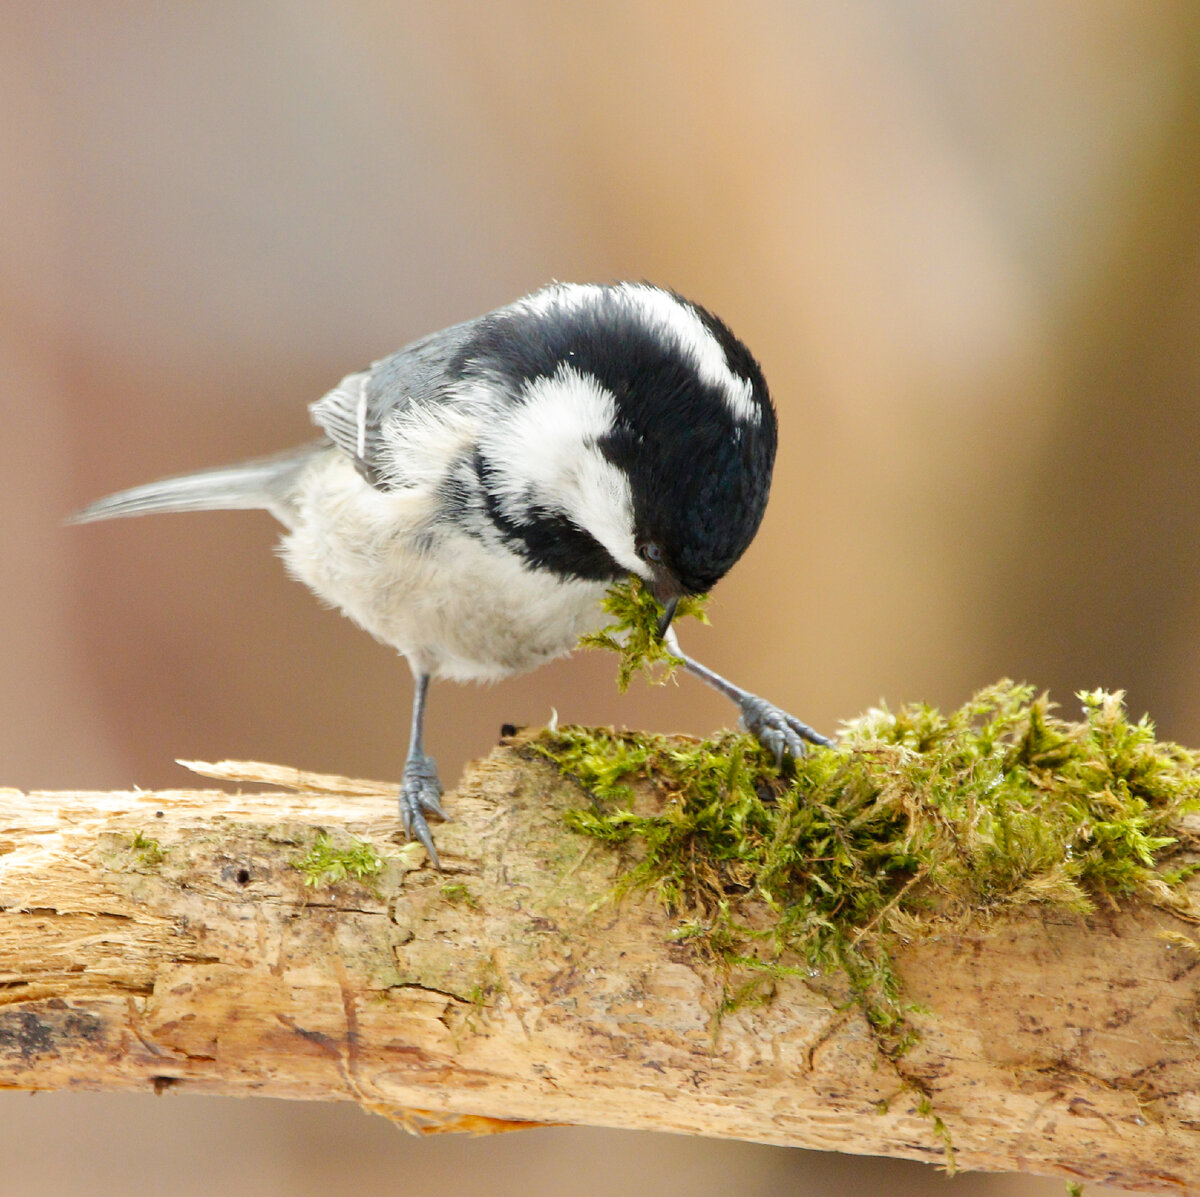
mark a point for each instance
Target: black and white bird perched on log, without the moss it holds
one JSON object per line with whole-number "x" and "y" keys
{"x": 477, "y": 494}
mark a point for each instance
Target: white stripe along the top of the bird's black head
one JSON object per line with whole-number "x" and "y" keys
{"x": 679, "y": 320}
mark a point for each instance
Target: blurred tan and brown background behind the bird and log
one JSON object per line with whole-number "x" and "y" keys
{"x": 962, "y": 239}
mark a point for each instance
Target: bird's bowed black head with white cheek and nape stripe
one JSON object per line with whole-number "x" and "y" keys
{"x": 641, "y": 437}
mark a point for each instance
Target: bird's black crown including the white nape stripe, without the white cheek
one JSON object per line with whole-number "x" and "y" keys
{"x": 694, "y": 429}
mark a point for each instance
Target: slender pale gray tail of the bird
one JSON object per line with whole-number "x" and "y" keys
{"x": 262, "y": 484}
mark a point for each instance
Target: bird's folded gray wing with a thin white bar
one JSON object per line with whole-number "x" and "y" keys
{"x": 418, "y": 380}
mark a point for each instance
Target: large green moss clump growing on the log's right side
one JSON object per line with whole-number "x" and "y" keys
{"x": 916, "y": 819}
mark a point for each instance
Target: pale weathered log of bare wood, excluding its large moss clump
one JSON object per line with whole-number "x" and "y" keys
{"x": 176, "y": 941}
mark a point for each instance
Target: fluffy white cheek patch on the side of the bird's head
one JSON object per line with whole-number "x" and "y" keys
{"x": 545, "y": 452}
